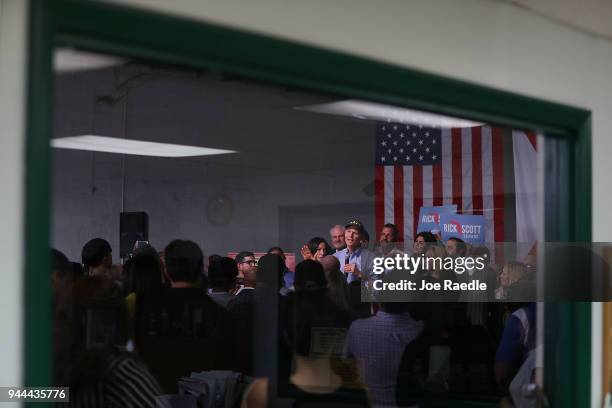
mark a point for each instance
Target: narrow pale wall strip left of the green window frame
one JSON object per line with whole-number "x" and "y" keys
{"x": 12, "y": 99}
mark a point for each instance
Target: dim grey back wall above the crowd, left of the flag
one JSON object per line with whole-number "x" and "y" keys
{"x": 289, "y": 181}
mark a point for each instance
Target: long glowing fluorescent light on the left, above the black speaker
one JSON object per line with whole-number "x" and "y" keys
{"x": 136, "y": 147}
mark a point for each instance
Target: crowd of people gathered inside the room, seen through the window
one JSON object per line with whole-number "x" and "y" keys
{"x": 125, "y": 334}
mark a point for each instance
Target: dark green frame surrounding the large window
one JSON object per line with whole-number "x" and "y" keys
{"x": 123, "y": 31}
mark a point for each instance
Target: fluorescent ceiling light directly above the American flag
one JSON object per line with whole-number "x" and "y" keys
{"x": 379, "y": 112}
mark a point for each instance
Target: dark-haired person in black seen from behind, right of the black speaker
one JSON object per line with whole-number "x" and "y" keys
{"x": 182, "y": 329}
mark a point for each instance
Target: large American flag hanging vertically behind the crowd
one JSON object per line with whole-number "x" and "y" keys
{"x": 427, "y": 166}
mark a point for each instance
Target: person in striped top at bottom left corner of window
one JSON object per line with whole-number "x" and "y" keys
{"x": 98, "y": 366}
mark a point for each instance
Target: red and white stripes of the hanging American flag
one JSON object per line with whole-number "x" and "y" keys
{"x": 471, "y": 175}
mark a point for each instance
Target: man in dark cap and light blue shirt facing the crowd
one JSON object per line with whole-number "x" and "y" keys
{"x": 356, "y": 262}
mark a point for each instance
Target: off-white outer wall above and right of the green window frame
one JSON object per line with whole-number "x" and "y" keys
{"x": 490, "y": 43}
